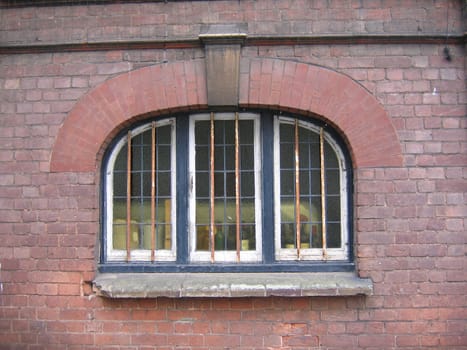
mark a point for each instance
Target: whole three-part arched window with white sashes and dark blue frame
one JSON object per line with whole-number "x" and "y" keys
{"x": 227, "y": 191}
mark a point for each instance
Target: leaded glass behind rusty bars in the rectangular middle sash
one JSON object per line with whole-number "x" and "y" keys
{"x": 225, "y": 184}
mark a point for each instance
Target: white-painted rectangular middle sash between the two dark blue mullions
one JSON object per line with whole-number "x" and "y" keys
{"x": 206, "y": 254}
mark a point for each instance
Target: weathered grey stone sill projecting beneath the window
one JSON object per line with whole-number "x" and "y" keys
{"x": 230, "y": 285}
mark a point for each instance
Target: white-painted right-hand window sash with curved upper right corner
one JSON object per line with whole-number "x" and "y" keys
{"x": 283, "y": 207}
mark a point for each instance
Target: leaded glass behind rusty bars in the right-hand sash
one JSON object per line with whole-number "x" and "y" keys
{"x": 310, "y": 190}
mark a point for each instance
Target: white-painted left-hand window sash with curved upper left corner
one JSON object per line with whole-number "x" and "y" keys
{"x": 140, "y": 251}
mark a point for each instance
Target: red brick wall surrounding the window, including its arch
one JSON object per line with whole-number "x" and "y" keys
{"x": 59, "y": 64}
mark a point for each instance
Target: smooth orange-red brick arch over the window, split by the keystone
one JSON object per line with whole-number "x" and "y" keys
{"x": 273, "y": 83}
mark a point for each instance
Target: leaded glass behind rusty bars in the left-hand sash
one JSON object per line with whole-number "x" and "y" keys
{"x": 141, "y": 179}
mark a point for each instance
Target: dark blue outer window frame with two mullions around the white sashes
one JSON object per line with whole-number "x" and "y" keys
{"x": 268, "y": 263}
